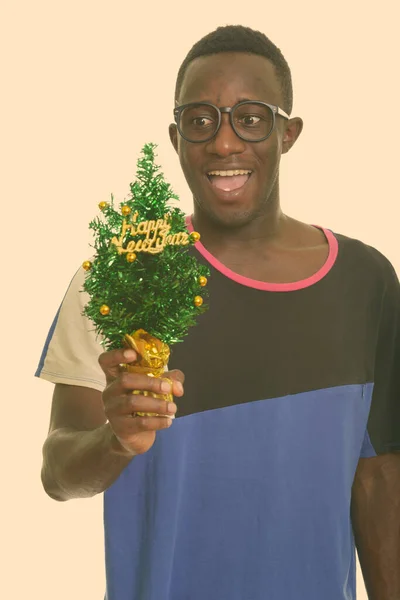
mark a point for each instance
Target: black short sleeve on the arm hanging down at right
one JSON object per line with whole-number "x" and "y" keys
{"x": 383, "y": 428}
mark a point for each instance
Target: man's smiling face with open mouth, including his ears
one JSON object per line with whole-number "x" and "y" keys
{"x": 224, "y": 80}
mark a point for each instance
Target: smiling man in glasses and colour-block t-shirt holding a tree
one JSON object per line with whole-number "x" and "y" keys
{"x": 286, "y": 441}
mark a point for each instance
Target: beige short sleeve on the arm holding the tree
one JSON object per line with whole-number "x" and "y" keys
{"x": 72, "y": 348}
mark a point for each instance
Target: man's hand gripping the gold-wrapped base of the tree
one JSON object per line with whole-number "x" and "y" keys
{"x": 134, "y": 434}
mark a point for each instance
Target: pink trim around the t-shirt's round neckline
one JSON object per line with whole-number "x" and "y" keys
{"x": 272, "y": 287}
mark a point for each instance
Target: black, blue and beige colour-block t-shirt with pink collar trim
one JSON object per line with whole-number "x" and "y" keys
{"x": 247, "y": 496}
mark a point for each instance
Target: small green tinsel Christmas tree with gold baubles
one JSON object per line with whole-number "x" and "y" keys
{"x": 161, "y": 293}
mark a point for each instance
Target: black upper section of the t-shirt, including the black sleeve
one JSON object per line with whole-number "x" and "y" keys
{"x": 256, "y": 345}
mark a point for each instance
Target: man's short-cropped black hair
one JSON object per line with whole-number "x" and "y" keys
{"x": 236, "y": 38}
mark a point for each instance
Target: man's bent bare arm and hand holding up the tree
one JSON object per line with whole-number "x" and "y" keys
{"x": 93, "y": 437}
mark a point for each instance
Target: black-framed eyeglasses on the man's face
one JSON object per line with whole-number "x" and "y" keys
{"x": 252, "y": 121}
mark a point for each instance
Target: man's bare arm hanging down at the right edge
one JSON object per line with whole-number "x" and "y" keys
{"x": 375, "y": 513}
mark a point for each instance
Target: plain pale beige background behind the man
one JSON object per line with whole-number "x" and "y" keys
{"x": 84, "y": 85}
